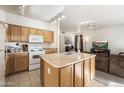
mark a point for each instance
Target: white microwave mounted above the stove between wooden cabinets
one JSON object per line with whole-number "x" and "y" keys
{"x": 36, "y": 39}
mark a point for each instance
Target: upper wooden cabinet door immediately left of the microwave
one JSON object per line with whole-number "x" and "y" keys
{"x": 24, "y": 34}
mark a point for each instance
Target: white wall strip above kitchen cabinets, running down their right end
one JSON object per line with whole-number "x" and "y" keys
{"x": 24, "y": 21}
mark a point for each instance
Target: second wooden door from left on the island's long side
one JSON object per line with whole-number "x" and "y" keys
{"x": 79, "y": 74}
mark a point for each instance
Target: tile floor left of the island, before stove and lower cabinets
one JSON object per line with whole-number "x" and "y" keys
{"x": 25, "y": 79}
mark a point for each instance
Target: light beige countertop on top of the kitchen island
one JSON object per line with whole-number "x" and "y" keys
{"x": 62, "y": 60}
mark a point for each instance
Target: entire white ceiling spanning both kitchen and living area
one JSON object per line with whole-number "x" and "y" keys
{"x": 101, "y": 16}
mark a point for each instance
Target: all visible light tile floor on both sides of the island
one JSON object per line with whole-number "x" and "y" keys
{"x": 32, "y": 79}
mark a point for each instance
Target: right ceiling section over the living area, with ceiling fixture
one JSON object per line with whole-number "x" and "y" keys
{"x": 102, "y": 16}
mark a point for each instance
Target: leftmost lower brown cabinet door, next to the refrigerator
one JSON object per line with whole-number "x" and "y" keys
{"x": 10, "y": 64}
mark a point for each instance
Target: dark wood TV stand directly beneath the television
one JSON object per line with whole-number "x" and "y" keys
{"x": 102, "y": 59}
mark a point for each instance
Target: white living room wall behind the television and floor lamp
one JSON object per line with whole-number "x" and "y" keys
{"x": 114, "y": 36}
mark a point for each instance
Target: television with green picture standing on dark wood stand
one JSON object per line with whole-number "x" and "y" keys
{"x": 100, "y": 45}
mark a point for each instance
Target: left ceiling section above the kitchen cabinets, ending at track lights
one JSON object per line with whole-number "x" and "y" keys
{"x": 39, "y": 12}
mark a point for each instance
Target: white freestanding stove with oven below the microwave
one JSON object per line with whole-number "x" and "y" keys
{"x": 35, "y": 50}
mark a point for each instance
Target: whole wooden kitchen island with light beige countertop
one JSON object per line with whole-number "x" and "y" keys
{"x": 62, "y": 70}
